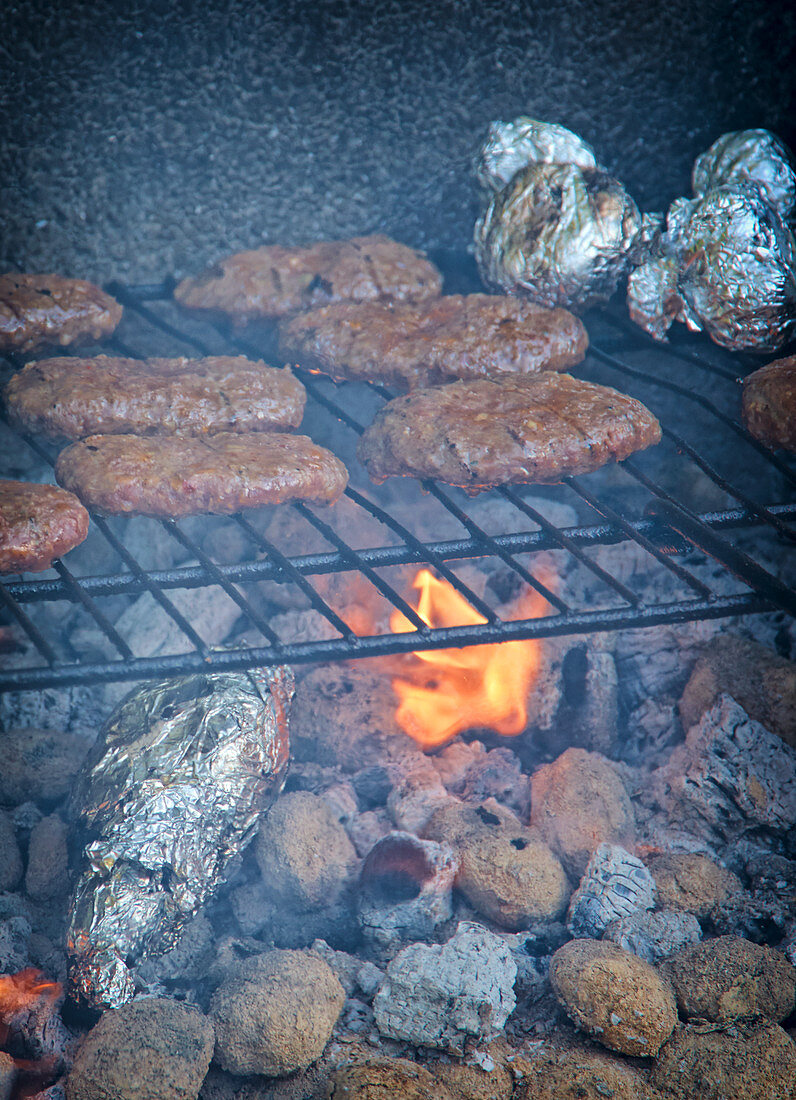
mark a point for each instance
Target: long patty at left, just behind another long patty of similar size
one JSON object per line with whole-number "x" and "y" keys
{"x": 69, "y": 399}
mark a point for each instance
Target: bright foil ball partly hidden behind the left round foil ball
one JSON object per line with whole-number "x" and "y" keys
{"x": 513, "y": 146}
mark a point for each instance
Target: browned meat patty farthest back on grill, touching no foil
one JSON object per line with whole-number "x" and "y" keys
{"x": 275, "y": 281}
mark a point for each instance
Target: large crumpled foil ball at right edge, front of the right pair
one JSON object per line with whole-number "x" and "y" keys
{"x": 725, "y": 266}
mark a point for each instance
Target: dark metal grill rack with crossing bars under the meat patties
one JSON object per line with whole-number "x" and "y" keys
{"x": 668, "y": 530}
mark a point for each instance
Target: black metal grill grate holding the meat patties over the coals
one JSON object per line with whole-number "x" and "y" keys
{"x": 668, "y": 529}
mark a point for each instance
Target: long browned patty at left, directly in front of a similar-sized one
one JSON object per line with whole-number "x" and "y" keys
{"x": 185, "y": 476}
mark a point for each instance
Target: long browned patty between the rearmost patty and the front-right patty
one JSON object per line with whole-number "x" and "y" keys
{"x": 430, "y": 343}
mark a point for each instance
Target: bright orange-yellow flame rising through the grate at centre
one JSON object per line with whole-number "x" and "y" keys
{"x": 481, "y": 687}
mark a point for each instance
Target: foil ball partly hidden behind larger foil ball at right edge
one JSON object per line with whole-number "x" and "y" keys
{"x": 750, "y": 156}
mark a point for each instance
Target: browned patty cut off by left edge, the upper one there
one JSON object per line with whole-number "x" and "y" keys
{"x": 49, "y": 311}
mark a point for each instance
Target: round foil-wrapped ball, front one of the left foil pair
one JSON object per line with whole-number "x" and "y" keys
{"x": 558, "y": 234}
